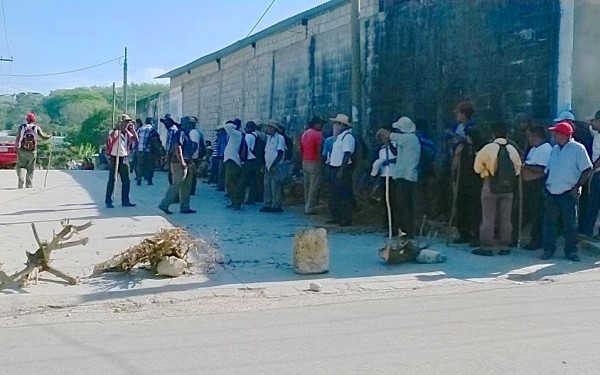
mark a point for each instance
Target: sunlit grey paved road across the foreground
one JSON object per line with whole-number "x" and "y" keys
{"x": 542, "y": 329}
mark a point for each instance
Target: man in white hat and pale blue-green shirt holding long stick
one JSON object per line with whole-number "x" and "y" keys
{"x": 405, "y": 173}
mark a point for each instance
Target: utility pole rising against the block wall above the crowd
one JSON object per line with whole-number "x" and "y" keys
{"x": 356, "y": 77}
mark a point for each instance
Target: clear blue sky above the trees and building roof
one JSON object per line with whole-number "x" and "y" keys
{"x": 52, "y": 36}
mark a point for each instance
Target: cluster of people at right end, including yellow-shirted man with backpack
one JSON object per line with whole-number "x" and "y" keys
{"x": 546, "y": 174}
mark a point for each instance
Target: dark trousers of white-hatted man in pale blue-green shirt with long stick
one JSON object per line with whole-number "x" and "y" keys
{"x": 403, "y": 206}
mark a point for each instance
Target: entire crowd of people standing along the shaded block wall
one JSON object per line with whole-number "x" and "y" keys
{"x": 498, "y": 188}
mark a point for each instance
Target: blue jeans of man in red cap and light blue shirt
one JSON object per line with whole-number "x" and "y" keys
{"x": 562, "y": 207}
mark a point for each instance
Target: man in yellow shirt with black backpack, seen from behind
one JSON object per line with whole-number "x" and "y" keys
{"x": 498, "y": 164}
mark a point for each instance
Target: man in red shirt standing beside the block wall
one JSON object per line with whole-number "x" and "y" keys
{"x": 312, "y": 166}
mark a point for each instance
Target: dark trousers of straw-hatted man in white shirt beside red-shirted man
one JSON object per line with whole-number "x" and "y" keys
{"x": 342, "y": 197}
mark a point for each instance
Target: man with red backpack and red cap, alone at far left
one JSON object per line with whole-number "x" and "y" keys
{"x": 26, "y": 146}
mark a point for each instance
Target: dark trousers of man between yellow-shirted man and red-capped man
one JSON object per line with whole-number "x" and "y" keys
{"x": 533, "y": 209}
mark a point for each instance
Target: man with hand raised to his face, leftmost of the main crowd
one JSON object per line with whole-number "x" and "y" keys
{"x": 119, "y": 141}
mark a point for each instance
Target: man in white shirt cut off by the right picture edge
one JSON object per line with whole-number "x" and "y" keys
{"x": 593, "y": 204}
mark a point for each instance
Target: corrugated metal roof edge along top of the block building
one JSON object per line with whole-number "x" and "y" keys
{"x": 292, "y": 21}
